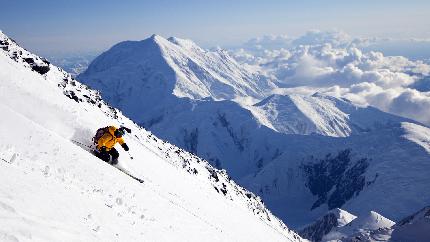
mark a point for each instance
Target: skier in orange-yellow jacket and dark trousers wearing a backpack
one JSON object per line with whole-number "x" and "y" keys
{"x": 106, "y": 138}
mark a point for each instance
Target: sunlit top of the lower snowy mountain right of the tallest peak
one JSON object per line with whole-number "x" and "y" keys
{"x": 318, "y": 114}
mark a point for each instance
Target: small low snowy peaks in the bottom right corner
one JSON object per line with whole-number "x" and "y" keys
{"x": 339, "y": 225}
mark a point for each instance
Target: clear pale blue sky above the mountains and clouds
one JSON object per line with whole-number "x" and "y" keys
{"x": 49, "y": 26}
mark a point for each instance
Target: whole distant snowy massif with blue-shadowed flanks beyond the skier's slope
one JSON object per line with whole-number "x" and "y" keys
{"x": 303, "y": 154}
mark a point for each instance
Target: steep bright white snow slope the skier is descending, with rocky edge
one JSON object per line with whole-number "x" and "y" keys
{"x": 52, "y": 189}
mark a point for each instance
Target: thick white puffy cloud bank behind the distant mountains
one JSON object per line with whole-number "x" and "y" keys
{"x": 339, "y": 65}
